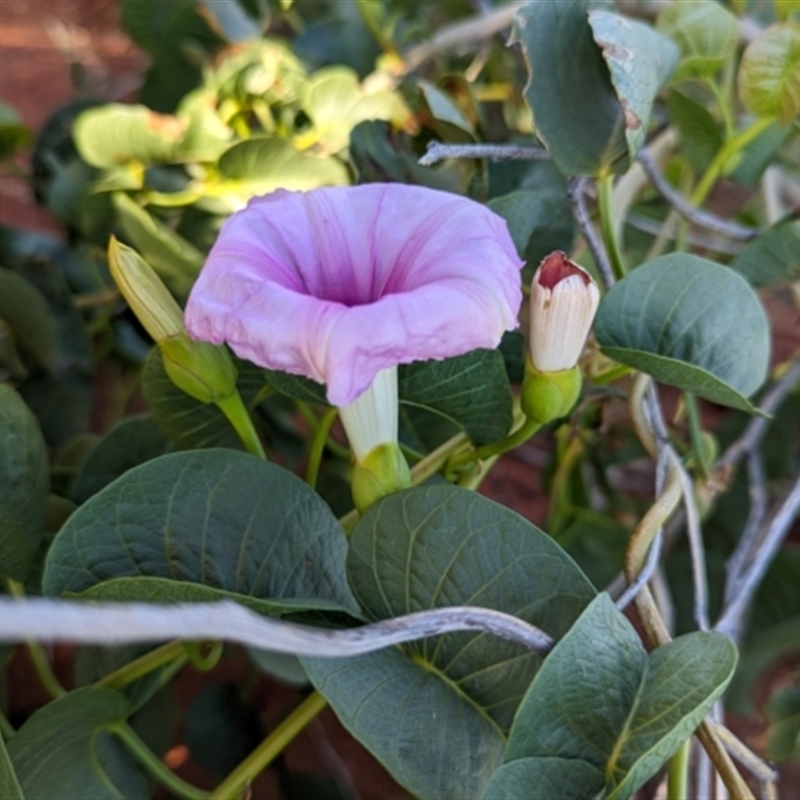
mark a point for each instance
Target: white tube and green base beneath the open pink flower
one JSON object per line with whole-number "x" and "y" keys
{"x": 371, "y": 423}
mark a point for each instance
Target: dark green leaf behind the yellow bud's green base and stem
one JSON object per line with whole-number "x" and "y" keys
{"x": 186, "y": 421}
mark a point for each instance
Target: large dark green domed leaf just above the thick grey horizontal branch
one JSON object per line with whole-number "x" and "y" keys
{"x": 221, "y": 519}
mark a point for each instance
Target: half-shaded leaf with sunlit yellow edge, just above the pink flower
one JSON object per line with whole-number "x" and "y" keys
{"x": 263, "y": 164}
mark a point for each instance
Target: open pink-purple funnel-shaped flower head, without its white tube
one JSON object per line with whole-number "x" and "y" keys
{"x": 339, "y": 284}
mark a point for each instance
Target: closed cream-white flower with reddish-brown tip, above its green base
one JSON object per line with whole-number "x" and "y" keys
{"x": 564, "y": 300}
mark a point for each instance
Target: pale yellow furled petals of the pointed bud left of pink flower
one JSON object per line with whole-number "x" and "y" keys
{"x": 144, "y": 292}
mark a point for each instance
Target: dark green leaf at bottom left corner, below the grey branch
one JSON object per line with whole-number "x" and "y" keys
{"x": 65, "y": 749}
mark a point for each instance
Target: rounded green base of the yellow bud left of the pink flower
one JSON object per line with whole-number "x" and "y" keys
{"x": 202, "y": 370}
